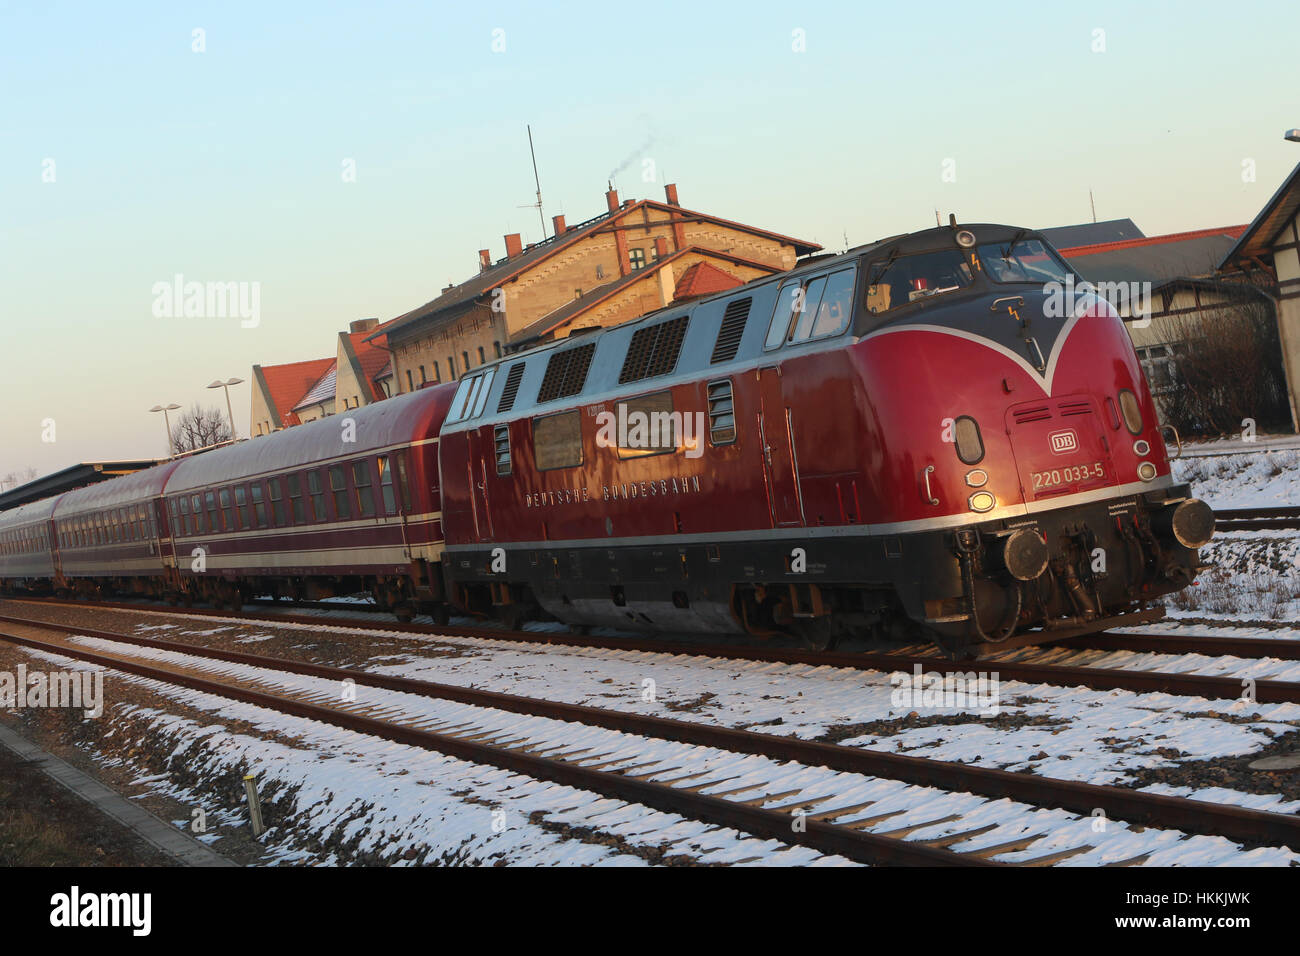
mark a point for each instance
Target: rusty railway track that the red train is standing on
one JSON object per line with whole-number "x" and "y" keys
{"x": 1214, "y": 687}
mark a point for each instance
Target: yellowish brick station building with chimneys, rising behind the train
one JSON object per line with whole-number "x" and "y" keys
{"x": 631, "y": 259}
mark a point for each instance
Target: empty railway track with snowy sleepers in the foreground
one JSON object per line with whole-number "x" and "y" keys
{"x": 847, "y": 840}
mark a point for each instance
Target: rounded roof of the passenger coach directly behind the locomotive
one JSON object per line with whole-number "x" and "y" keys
{"x": 402, "y": 419}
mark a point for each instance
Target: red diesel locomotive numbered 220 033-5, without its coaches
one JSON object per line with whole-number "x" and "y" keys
{"x": 933, "y": 435}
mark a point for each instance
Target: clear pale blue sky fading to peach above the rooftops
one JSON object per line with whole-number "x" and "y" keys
{"x": 838, "y": 120}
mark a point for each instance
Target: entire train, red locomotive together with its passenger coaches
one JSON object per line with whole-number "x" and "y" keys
{"x": 943, "y": 435}
